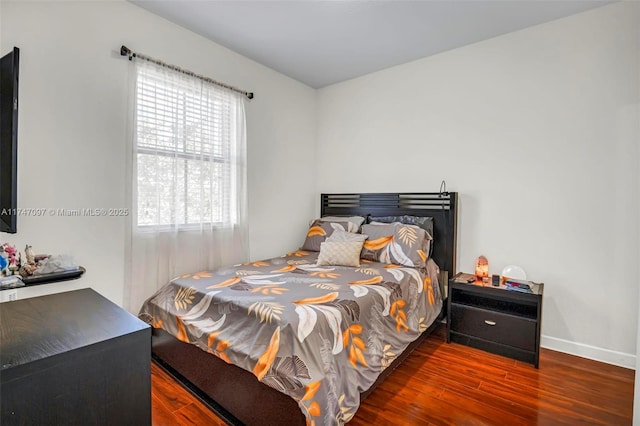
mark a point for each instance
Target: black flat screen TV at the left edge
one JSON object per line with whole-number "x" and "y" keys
{"x": 9, "y": 141}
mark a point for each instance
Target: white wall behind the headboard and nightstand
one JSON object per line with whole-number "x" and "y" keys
{"x": 537, "y": 130}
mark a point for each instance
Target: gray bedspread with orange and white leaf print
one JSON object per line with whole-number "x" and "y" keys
{"x": 321, "y": 335}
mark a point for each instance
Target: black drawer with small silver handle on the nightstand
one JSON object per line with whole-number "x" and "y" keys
{"x": 494, "y": 326}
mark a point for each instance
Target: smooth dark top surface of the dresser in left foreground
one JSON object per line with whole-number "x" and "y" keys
{"x": 40, "y": 327}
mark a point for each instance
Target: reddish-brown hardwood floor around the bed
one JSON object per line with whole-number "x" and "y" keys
{"x": 443, "y": 384}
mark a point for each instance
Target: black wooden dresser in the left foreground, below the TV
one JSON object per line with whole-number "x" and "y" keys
{"x": 73, "y": 358}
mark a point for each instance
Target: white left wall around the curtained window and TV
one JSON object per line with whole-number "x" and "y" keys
{"x": 74, "y": 90}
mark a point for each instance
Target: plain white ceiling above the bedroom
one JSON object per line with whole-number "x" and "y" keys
{"x": 324, "y": 42}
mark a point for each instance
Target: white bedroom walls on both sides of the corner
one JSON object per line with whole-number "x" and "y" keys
{"x": 536, "y": 129}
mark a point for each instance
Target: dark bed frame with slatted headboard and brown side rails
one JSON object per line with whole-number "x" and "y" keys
{"x": 235, "y": 394}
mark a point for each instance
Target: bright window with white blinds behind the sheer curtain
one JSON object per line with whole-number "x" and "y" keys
{"x": 186, "y": 154}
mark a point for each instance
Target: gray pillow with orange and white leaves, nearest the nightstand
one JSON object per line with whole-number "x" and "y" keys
{"x": 396, "y": 243}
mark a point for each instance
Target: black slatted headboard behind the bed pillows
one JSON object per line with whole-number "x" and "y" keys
{"x": 441, "y": 206}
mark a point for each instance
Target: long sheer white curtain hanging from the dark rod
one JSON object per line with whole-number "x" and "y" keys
{"x": 188, "y": 179}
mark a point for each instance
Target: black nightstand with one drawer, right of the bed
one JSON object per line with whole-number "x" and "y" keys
{"x": 495, "y": 319}
